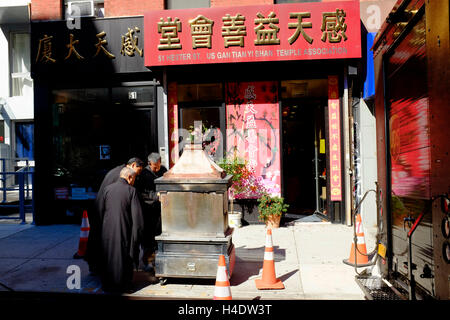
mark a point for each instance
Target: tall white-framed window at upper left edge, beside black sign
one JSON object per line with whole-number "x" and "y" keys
{"x": 21, "y": 82}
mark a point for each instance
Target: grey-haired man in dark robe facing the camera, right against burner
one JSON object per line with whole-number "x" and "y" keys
{"x": 151, "y": 205}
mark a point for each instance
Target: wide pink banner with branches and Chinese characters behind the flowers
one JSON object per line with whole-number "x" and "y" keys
{"x": 253, "y": 129}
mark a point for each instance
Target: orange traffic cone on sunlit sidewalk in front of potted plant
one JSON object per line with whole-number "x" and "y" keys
{"x": 269, "y": 280}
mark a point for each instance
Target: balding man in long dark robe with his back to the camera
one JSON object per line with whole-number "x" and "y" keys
{"x": 122, "y": 232}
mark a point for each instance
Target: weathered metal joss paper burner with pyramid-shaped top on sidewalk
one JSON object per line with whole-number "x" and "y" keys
{"x": 194, "y": 218}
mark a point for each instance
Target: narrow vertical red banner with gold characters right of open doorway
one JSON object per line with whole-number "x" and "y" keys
{"x": 334, "y": 139}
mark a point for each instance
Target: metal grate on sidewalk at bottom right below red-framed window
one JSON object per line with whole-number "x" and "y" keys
{"x": 375, "y": 288}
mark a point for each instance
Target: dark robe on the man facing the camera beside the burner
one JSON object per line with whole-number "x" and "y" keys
{"x": 151, "y": 206}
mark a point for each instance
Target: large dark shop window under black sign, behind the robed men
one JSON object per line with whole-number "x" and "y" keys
{"x": 95, "y": 129}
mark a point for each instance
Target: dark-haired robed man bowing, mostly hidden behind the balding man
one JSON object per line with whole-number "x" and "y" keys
{"x": 93, "y": 253}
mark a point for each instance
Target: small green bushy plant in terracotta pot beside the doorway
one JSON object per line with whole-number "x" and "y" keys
{"x": 271, "y": 208}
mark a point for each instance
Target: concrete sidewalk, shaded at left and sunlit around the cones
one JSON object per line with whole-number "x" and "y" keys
{"x": 308, "y": 259}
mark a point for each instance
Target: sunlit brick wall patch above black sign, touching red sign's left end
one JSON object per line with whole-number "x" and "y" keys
{"x": 117, "y": 8}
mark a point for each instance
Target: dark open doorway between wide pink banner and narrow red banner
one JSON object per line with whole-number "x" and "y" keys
{"x": 304, "y": 153}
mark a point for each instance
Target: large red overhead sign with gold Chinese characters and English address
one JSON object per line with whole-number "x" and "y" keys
{"x": 300, "y": 31}
